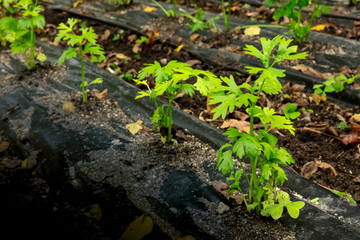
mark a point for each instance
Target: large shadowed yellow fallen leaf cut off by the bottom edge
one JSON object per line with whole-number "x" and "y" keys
{"x": 138, "y": 229}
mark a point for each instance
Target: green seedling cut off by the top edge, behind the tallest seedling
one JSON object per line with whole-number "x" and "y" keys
{"x": 292, "y": 9}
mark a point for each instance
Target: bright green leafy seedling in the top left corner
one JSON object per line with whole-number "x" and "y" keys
{"x": 21, "y": 32}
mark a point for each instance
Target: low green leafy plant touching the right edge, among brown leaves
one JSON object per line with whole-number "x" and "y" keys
{"x": 334, "y": 84}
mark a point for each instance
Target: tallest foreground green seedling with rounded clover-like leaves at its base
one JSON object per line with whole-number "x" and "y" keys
{"x": 260, "y": 147}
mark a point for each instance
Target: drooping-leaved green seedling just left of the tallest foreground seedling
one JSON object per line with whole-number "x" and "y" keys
{"x": 170, "y": 80}
